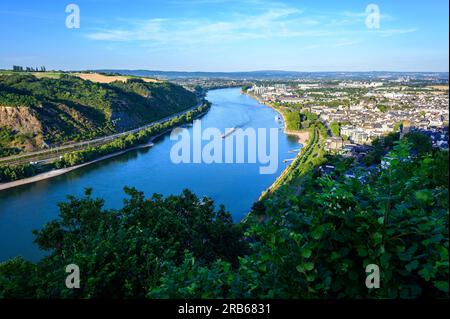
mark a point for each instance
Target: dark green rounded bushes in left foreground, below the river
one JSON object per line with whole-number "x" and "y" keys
{"x": 122, "y": 253}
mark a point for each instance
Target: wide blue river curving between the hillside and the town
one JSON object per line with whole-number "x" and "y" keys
{"x": 237, "y": 186}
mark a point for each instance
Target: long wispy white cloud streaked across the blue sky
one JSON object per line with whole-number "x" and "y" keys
{"x": 271, "y": 23}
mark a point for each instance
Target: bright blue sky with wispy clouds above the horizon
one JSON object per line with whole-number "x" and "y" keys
{"x": 226, "y": 35}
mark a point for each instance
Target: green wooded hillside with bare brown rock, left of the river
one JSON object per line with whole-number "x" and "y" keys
{"x": 57, "y": 110}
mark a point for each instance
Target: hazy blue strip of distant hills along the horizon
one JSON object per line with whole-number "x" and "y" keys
{"x": 274, "y": 74}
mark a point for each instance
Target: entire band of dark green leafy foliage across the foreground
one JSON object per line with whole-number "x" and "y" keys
{"x": 315, "y": 244}
